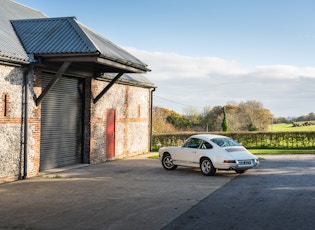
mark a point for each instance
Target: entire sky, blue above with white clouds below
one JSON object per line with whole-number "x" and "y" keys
{"x": 211, "y": 52}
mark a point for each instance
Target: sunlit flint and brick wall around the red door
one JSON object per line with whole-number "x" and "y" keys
{"x": 132, "y": 125}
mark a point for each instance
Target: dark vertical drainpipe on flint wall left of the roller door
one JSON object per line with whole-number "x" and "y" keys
{"x": 25, "y": 82}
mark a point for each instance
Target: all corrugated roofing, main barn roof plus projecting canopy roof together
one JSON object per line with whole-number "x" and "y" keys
{"x": 25, "y": 32}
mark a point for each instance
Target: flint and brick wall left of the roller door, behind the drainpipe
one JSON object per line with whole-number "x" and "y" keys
{"x": 12, "y": 126}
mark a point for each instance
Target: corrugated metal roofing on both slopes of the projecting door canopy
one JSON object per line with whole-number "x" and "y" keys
{"x": 68, "y": 36}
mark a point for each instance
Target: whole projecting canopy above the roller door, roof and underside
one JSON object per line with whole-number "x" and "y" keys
{"x": 54, "y": 41}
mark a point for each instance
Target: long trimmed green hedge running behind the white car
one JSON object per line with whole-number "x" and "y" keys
{"x": 251, "y": 140}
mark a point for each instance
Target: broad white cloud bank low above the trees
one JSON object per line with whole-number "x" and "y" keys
{"x": 183, "y": 81}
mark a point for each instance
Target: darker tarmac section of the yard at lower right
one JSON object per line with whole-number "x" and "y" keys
{"x": 280, "y": 194}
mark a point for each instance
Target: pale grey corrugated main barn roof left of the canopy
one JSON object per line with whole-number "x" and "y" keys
{"x": 10, "y": 46}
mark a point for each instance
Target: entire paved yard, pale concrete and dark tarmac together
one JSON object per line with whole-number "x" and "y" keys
{"x": 137, "y": 193}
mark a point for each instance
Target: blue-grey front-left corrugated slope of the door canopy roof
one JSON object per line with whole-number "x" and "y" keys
{"x": 52, "y": 36}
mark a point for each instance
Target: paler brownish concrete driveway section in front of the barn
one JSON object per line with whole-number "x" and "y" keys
{"x": 134, "y": 193}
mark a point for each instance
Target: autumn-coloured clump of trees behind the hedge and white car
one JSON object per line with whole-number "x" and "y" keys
{"x": 245, "y": 116}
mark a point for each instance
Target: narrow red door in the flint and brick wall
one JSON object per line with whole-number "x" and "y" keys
{"x": 110, "y": 133}
